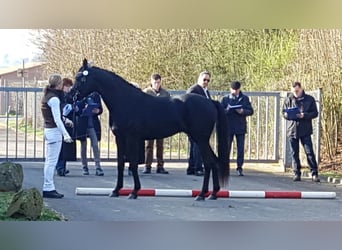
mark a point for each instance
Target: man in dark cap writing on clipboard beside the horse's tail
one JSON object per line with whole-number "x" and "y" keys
{"x": 238, "y": 107}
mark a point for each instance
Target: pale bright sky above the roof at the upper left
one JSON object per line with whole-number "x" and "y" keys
{"x": 15, "y": 46}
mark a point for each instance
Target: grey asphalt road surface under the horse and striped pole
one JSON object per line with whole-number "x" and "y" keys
{"x": 257, "y": 178}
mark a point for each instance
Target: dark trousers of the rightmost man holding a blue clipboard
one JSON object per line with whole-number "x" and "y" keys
{"x": 310, "y": 155}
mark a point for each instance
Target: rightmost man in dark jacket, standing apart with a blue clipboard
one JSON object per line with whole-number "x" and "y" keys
{"x": 299, "y": 127}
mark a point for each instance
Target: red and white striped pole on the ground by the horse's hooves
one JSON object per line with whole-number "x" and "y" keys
{"x": 220, "y": 194}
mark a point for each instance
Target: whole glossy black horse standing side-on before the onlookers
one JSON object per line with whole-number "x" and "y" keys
{"x": 133, "y": 119}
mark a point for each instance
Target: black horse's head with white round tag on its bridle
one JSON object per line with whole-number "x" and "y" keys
{"x": 83, "y": 81}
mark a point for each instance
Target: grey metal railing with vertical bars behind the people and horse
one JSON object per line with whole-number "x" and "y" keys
{"x": 21, "y": 132}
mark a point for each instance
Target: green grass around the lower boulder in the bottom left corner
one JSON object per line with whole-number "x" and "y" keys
{"x": 6, "y": 198}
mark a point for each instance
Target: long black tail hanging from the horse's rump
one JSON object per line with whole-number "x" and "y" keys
{"x": 222, "y": 145}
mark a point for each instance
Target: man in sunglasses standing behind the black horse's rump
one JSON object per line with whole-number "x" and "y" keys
{"x": 195, "y": 163}
